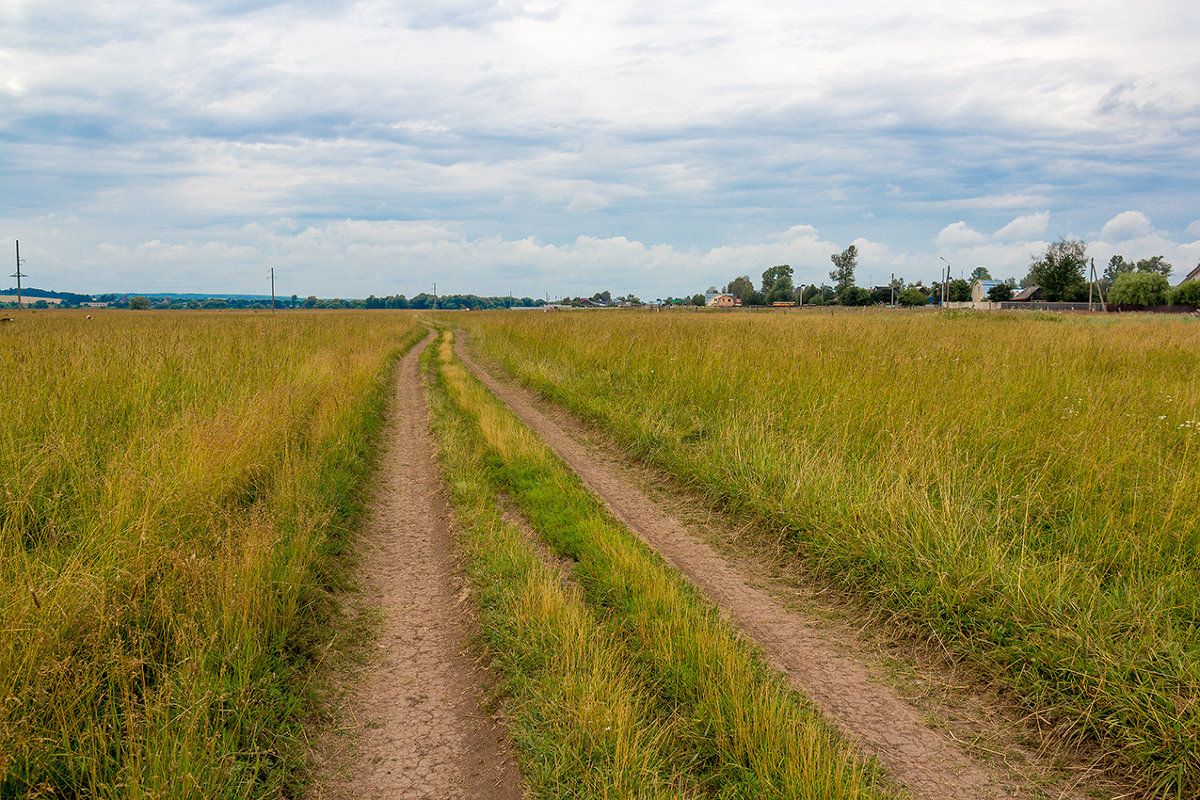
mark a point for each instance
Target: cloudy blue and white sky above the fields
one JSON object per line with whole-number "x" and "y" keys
{"x": 563, "y": 148}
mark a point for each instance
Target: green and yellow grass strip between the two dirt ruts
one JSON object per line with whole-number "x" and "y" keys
{"x": 622, "y": 682}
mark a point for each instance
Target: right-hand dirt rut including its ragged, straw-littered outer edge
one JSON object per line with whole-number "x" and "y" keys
{"x": 823, "y": 658}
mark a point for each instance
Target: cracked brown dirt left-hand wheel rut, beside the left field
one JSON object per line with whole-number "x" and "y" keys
{"x": 423, "y": 731}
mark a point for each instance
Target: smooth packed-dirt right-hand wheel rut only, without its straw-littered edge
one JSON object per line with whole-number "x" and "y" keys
{"x": 873, "y": 715}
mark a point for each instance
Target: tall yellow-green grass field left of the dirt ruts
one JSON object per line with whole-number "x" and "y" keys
{"x": 175, "y": 496}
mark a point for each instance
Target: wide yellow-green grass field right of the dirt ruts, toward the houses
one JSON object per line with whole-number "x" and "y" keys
{"x": 1024, "y": 490}
